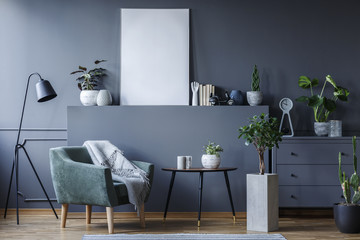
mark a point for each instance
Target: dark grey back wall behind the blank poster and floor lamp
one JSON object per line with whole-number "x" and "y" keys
{"x": 284, "y": 38}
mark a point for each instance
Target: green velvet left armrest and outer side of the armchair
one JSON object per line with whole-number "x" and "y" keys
{"x": 81, "y": 183}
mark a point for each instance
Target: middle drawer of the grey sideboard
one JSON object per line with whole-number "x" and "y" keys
{"x": 311, "y": 174}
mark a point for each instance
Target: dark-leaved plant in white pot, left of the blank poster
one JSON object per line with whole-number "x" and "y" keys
{"x": 87, "y": 81}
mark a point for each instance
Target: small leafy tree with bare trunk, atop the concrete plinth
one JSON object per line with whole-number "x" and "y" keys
{"x": 263, "y": 132}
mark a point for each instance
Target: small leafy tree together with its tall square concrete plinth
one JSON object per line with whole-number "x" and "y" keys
{"x": 262, "y": 191}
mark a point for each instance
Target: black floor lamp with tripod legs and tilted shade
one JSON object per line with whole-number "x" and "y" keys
{"x": 44, "y": 92}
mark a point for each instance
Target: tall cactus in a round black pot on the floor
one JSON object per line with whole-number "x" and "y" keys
{"x": 347, "y": 215}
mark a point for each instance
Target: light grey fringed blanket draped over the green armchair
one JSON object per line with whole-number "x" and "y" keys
{"x": 122, "y": 170}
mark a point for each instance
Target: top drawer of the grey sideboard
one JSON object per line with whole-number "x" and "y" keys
{"x": 321, "y": 153}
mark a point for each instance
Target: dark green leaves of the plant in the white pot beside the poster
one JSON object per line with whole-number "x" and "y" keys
{"x": 88, "y": 79}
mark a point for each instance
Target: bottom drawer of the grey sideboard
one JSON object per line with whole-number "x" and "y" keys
{"x": 309, "y": 196}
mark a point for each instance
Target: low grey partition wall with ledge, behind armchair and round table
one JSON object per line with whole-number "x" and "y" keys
{"x": 159, "y": 134}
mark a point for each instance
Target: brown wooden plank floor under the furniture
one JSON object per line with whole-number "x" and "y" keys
{"x": 46, "y": 226}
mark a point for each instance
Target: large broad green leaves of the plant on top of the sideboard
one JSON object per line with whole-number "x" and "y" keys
{"x": 321, "y": 105}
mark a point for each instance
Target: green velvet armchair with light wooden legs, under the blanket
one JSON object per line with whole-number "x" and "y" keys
{"x": 77, "y": 180}
